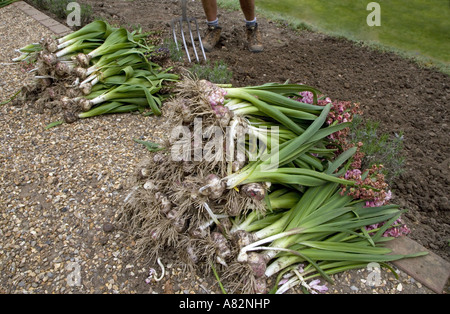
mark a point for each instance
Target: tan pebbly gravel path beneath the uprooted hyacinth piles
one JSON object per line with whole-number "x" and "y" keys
{"x": 60, "y": 191}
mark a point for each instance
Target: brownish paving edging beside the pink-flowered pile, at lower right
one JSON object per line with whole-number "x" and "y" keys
{"x": 431, "y": 270}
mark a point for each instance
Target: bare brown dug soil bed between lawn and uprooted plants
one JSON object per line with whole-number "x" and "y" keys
{"x": 399, "y": 93}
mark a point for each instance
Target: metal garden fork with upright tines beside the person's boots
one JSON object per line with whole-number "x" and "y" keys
{"x": 184, "y": 19}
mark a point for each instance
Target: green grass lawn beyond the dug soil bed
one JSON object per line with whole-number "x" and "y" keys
{"x": 416, "y": 28}
